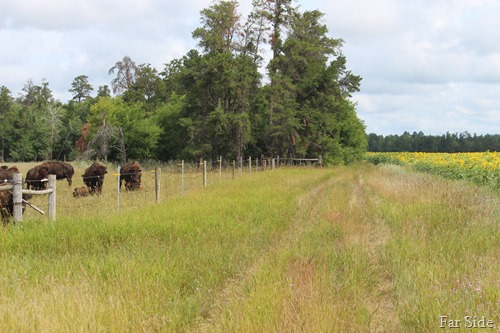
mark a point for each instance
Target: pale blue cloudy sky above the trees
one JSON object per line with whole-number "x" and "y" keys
{"x": 427, "y": 65}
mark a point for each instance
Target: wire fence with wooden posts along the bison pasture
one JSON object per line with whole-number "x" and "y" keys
{"x": 159, "y": 183}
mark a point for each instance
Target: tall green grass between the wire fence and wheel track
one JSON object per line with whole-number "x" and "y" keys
{"x": 152, "y": 269}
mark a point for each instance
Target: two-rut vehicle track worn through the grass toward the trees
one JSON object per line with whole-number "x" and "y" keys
{"x": 325, "y": 274}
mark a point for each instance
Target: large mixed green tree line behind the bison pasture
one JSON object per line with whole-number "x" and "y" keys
{"x": 223, "y": 98}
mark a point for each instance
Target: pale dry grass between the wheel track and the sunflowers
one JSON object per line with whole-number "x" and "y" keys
{"x": 445, "y": 256}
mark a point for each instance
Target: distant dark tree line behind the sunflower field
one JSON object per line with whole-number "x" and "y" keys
{"x": 446, "y": 143}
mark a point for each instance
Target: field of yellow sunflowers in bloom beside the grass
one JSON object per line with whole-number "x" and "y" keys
{"x": 479, "y": 168}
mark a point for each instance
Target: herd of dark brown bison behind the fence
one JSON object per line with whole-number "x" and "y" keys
{"x": 37, "y": 177}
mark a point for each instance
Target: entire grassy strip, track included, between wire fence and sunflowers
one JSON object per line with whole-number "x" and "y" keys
{"x": 349, "y": 249}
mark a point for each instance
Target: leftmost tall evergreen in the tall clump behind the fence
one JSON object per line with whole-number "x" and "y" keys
{"x": 223, "y": 80}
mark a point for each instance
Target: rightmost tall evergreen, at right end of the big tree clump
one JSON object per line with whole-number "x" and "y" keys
{"x": 311, "y": 111}
